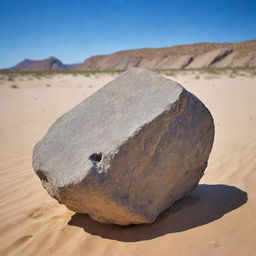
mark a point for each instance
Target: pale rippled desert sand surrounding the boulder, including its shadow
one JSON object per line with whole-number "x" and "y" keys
{"x": 219, "y": 218}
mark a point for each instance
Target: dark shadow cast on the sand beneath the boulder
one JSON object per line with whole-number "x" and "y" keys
{"x": 206, "y": 204}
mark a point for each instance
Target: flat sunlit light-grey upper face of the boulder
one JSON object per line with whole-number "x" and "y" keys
{"x": 103, "y": 122}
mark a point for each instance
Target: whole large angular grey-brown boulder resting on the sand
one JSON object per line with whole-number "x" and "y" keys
{"x": 127, "y": 152}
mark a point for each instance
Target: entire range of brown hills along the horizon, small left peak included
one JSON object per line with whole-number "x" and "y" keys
{"x": 199, "y": 55}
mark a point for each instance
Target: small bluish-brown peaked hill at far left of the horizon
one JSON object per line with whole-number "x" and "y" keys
{"x": 34, "y": 65}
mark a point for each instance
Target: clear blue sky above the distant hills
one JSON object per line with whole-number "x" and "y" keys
{"x": 73, "y": 30}
